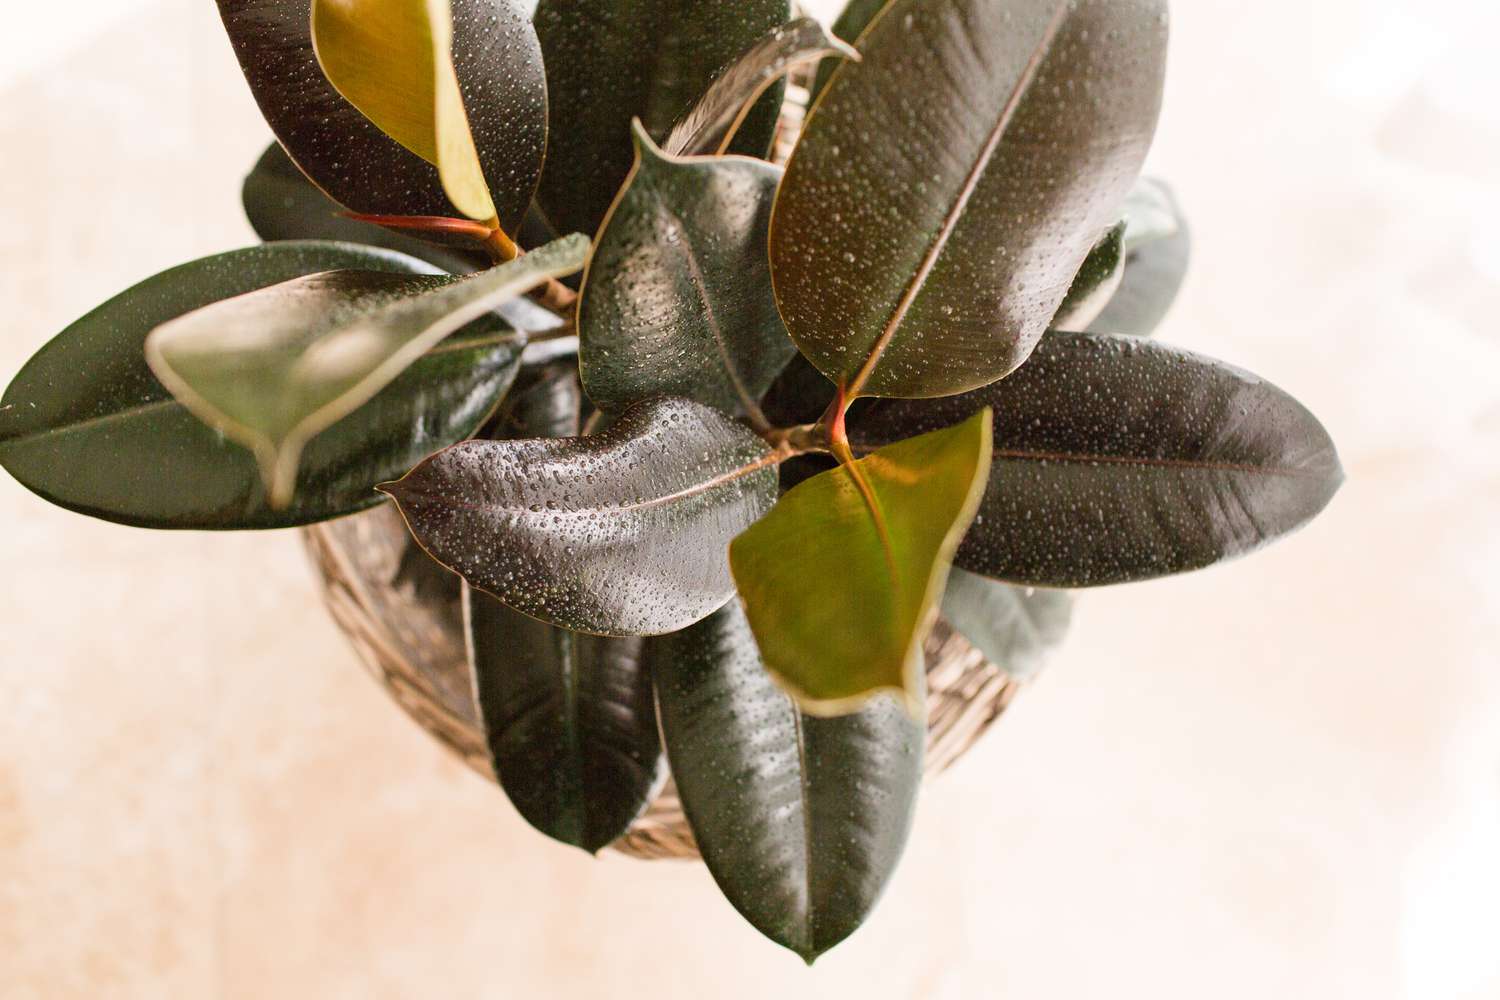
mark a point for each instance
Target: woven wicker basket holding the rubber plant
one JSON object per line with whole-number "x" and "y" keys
{"x": 401, "y": 611}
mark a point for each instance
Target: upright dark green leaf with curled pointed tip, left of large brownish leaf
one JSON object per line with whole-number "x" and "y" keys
{"x": 677, "y": 298}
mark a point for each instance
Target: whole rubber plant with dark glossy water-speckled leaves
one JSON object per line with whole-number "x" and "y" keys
{"x": 713, "y": 464}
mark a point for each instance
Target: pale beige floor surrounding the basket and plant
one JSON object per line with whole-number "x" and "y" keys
{"x": 1276, "y": 779}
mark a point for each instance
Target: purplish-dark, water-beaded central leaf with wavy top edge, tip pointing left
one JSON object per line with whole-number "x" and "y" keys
{"x": 622, "y": 533}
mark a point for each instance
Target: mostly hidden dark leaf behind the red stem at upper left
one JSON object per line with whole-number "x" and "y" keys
{"x": 283, "y": 205}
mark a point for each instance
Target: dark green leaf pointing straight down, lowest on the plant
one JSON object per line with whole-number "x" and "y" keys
{"x": 802, "y": 821}
